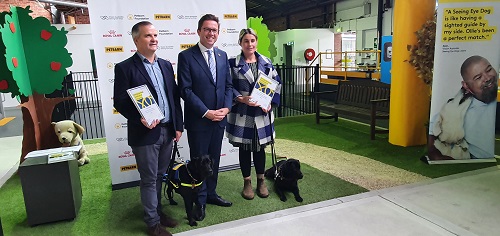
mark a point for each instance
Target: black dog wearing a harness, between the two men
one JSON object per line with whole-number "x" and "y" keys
{"x": 186, "y": 179}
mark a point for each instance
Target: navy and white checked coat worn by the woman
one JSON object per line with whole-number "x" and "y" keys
{"x": 243, "y": 118}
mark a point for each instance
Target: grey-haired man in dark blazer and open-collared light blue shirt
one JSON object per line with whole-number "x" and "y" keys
{"x": 151, "y": 143}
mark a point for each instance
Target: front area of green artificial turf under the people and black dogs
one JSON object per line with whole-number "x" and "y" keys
{"x": 119, "y": 212}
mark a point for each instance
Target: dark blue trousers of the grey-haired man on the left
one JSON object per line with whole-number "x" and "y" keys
{"x": 152, "y": 162}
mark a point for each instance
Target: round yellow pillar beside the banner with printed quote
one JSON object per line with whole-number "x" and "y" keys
{"x": 409, "y": 95}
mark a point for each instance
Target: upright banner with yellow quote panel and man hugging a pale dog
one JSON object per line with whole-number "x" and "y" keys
{"x": 465, "y": 82}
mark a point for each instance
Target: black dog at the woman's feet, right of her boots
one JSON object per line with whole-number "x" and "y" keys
{"x": 285, "y": 174}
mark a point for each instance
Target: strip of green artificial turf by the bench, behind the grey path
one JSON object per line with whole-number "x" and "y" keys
{"x": 354, "y": 138}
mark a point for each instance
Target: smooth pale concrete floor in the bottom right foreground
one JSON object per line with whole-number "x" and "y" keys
{"x": 463, "y": 204}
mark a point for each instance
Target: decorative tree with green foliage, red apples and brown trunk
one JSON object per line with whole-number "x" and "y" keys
{"x": 36, "y": 60}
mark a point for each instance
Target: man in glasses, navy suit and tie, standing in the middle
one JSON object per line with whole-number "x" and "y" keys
{"x": 206, "y": 88}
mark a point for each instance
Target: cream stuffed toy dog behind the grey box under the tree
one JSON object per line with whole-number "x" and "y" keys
{"x": 68, "y": 132}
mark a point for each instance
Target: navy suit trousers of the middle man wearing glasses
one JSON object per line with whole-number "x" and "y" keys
{"x": 202, "y": 143}
